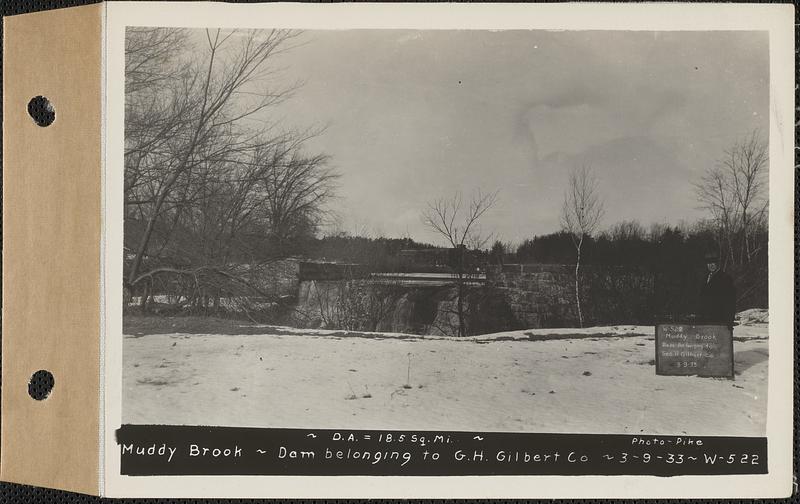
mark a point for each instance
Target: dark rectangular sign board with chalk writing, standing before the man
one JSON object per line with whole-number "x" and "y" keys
{"x": 702, "y": 350}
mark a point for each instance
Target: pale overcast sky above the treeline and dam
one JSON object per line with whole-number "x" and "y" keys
{"x": 416, "y": 115}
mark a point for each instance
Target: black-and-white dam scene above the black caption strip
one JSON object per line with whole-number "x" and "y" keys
{"x": 462, "y": 230}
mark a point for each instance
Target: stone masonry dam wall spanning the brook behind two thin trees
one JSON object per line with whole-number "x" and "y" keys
{"x": 516, "y": 296}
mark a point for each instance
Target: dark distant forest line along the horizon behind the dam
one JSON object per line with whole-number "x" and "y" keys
{"x": 673, "y": 253}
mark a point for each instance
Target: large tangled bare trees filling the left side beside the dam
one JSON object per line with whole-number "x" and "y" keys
{"x": 203, "y": 168}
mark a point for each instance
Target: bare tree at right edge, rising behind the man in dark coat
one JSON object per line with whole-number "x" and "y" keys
{"x": 734, "y": 191}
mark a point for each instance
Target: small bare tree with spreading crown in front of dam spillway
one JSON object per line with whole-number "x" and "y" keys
{"x": 457, "y": 223}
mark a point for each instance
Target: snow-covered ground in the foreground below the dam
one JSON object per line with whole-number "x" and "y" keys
{"x": 597, "y": 380}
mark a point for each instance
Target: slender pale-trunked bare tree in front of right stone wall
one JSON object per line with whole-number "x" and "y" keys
{"x": 580, "y": 215}
